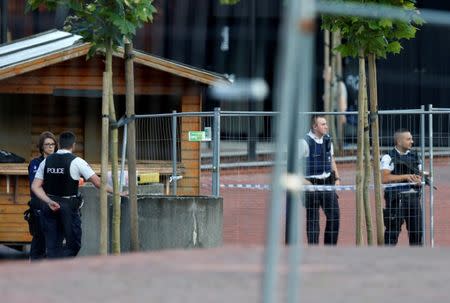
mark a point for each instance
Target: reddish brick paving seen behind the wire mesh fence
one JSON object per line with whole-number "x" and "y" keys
{"x": 245, "y": 209}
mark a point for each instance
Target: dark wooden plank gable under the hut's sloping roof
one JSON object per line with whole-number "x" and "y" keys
{"x": 79, "y": 74}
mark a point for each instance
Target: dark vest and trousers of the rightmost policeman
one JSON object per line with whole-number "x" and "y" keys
{"x": 403, "y": 202}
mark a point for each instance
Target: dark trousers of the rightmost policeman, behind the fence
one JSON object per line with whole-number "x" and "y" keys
{"x": 403, "y": 207}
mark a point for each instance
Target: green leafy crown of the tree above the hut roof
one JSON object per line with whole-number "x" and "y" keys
{"x": 102, "y": 22}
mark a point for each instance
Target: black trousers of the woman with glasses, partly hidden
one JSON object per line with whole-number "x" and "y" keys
{"x": 37, "y": 249}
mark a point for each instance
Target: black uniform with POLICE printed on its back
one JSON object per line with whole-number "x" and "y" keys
{"x": 64, "y": 223}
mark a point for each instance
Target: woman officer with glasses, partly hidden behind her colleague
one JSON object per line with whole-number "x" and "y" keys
{"x": 47, "y": 146}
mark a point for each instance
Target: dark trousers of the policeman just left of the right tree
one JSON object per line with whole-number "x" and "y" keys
{"x": 328, "y": 201}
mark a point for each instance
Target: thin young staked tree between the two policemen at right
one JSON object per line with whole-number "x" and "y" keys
{"x": 372, "y": 38}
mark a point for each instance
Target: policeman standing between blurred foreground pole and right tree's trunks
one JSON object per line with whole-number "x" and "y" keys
{"x": 320, "y": 169}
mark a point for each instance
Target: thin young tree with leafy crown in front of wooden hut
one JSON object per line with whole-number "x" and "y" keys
{"x": 104, "y": 24}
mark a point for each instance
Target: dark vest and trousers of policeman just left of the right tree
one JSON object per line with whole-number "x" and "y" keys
{"x": 318, "y": 162}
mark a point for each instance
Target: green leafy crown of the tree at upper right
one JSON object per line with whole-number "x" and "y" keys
{"x": 374, "y": 36}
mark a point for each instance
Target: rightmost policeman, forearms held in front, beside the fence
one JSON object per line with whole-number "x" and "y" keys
{"x": 402, "y": 165}
